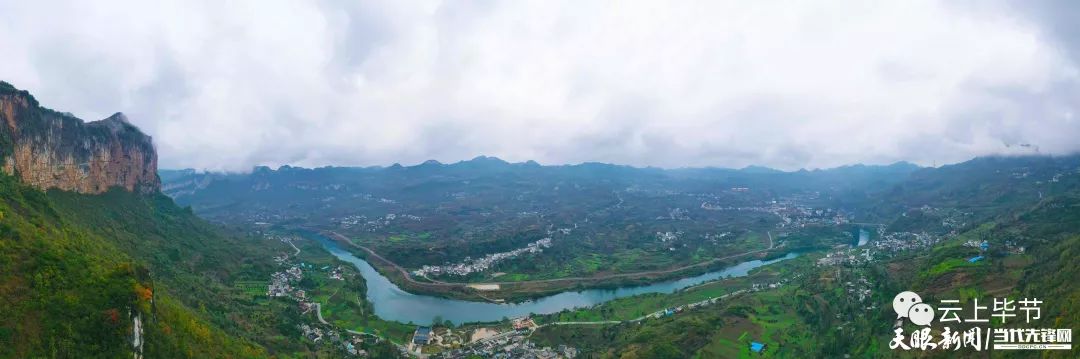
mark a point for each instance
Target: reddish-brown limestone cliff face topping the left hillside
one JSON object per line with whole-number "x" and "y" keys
{"x": 49, "y": 150}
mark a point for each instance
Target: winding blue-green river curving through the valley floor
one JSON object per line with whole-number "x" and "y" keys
{"x": 393, "y": 303}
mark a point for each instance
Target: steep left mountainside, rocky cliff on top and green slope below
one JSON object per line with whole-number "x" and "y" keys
{"x": 97, "y": 263}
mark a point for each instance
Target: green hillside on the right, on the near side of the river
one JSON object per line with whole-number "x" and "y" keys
{"x": 1028, "y": 210}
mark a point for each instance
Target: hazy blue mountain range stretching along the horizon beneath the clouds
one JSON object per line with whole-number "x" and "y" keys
{"x": 877, "y": 192}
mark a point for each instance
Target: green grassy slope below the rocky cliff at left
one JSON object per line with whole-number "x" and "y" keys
{"x": 73, "y": 267}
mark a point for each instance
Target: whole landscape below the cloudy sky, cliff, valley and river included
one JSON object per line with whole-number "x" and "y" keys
{"x": 496, "y": 260}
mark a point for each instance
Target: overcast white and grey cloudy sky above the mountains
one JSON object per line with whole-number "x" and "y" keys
{"x": 229, "y": 85}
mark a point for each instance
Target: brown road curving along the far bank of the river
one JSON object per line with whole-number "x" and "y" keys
{"x": 409, "y": 277}
